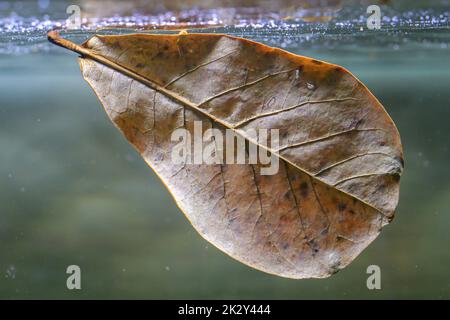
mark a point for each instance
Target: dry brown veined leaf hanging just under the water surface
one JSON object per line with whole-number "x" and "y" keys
{"x": 340, "y": 153}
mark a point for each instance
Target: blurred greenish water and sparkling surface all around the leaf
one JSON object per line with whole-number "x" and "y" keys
{"x": 73, "y": 191}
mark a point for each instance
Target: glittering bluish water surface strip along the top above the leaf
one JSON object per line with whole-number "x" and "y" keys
{"x": 20, "y": 34}
